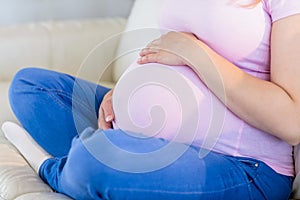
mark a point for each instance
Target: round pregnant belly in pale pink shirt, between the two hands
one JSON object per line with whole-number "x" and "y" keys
{"x": 156, "y": 100}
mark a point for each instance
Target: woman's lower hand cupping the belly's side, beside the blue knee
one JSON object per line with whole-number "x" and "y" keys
{"x": 106, "y": 114}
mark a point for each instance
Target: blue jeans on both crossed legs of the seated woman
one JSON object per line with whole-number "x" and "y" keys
{"x": 85, "y": 166}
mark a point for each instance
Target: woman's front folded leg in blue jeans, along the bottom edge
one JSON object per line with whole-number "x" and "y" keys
{"x": 109, "y": 165}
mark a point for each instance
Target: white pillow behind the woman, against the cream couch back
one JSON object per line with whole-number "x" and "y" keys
{"x": 142, "y": 28}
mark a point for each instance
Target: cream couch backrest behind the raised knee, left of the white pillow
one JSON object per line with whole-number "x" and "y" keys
{"x": 58, "y": 45}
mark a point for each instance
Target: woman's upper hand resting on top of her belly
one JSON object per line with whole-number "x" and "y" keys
{"x": 168, "y": 49}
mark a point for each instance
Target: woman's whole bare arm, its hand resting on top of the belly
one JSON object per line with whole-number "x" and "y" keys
{"x": 273, "y": 106}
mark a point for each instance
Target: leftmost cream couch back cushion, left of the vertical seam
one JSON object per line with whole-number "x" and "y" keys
{"x": 23, "y": 45}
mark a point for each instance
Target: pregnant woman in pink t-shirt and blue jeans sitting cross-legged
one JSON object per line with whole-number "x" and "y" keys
{"x": 223, "y": 128}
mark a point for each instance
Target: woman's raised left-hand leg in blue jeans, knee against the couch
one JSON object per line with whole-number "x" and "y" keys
{"x": 54, "y": 107}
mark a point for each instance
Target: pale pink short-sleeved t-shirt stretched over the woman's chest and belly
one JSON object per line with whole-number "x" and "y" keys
{"x": 157, "y": 105}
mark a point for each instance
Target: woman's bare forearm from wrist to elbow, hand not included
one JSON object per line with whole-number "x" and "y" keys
{"x": 262, "y": 104}
